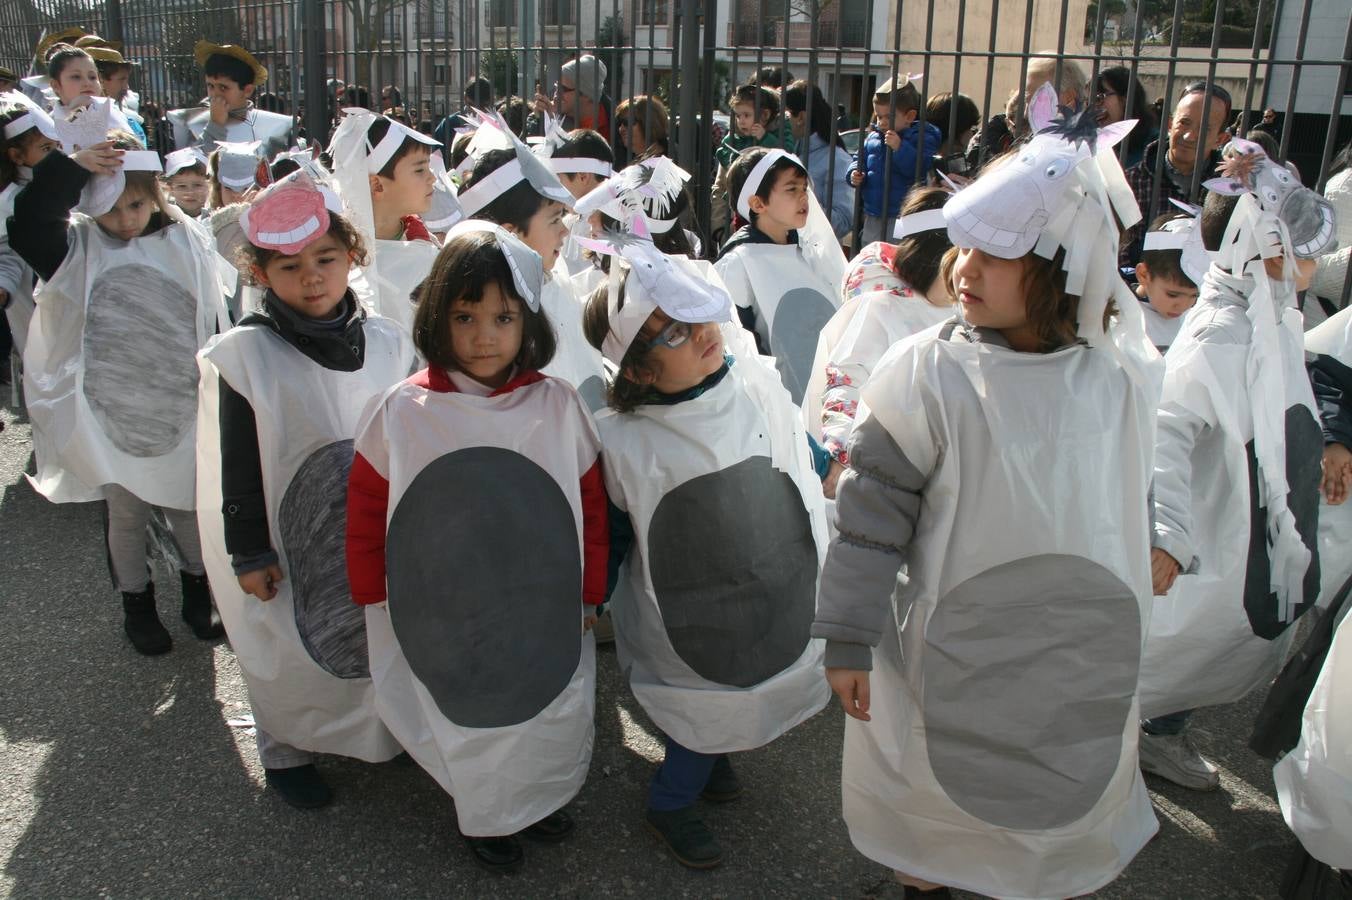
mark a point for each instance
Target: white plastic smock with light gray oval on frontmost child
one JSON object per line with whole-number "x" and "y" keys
{"x": 1003, "y": 752}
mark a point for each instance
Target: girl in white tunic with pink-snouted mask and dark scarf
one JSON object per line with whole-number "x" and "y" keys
{"x": 282, "y": 394}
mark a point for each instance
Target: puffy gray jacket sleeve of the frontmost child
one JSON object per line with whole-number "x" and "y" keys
{"x": 878, "y": 505}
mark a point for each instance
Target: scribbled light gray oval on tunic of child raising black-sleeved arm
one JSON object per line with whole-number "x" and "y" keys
{"x": 141, "y": 378}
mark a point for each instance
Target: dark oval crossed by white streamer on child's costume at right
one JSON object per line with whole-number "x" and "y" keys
{"x": 1304, "y": 474}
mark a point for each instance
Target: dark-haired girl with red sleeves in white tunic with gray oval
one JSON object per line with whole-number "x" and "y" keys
{"x": 485, "y": 668}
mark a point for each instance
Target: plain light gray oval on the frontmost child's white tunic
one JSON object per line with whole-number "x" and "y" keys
{"x": 1030, "y": 675}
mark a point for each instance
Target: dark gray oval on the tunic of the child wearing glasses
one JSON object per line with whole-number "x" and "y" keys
{"x": 735, "y": 568}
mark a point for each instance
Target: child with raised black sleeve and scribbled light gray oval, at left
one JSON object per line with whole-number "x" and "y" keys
{"x": 133, "y": 291}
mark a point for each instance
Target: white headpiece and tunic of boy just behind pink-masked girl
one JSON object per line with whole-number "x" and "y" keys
{"x": 400, "y": 267}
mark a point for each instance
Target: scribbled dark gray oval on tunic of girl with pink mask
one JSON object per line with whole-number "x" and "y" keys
{"x": 313, "y": 521}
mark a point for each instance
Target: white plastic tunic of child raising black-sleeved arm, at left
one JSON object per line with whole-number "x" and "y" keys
{"x": 110, "y": 375}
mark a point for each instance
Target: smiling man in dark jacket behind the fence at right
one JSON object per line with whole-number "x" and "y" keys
{"x": 1188, "y": 141}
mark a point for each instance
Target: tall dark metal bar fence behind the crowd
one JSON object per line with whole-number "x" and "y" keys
{"x": 1292, "y": 56}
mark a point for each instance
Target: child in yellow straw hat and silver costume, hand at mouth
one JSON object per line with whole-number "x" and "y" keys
{"x": 233, "y": 76}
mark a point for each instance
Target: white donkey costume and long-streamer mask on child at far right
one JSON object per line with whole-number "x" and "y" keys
{"x": 1238, "y": 475}
